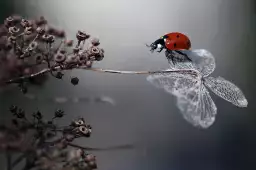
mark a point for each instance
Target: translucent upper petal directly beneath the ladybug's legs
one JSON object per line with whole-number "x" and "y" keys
{"x": 202, "y": 60}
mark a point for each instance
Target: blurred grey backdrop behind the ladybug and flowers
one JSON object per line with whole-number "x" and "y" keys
{"x": 145, "y": 115}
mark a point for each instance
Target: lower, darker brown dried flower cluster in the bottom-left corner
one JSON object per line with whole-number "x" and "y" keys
{"x": 45, "y": 145}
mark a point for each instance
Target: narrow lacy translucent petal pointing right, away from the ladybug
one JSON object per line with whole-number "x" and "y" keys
{"x": 226, "y": 90}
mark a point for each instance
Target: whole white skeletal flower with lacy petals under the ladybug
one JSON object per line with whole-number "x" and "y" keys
{"x": 193, "y": 98}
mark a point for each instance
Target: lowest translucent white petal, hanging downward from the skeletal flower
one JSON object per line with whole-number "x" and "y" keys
{"x": 198, "y": 109}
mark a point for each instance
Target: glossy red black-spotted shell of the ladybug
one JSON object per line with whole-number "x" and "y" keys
{"x": 177, "y": 41}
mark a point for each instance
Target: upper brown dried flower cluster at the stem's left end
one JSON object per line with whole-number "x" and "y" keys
{"x": 30, "y": 46}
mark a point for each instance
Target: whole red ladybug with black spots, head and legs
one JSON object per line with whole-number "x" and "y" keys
{"x": 172, "y": 42}
